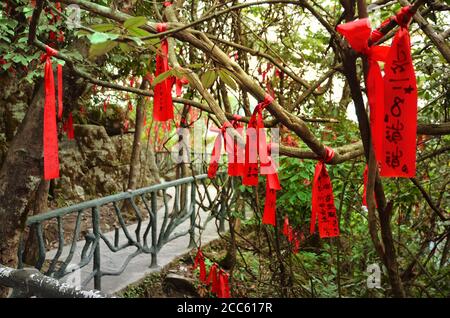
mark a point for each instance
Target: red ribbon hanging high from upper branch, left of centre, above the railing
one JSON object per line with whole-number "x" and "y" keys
{"x": 163, "y": 104}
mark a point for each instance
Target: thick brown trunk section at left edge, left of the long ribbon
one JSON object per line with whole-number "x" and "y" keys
{"x": 20, "y": 175}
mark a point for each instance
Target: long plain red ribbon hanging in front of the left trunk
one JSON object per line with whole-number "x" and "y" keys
{"x": 50, "y": 142}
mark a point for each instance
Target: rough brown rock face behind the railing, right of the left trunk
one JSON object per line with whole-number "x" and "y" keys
{"x": 95, "y": 165}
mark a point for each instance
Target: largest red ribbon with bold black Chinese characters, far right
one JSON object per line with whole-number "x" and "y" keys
{"x": 400, "y": 105}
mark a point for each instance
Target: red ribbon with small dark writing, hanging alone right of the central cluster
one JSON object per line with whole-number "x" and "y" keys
{"x": 323, "y": 200}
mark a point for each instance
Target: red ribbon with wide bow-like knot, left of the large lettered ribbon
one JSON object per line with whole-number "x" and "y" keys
{"x": 357, "y": 33}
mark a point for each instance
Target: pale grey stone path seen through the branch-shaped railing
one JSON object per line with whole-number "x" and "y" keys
{"x": 139, "y": 265}
